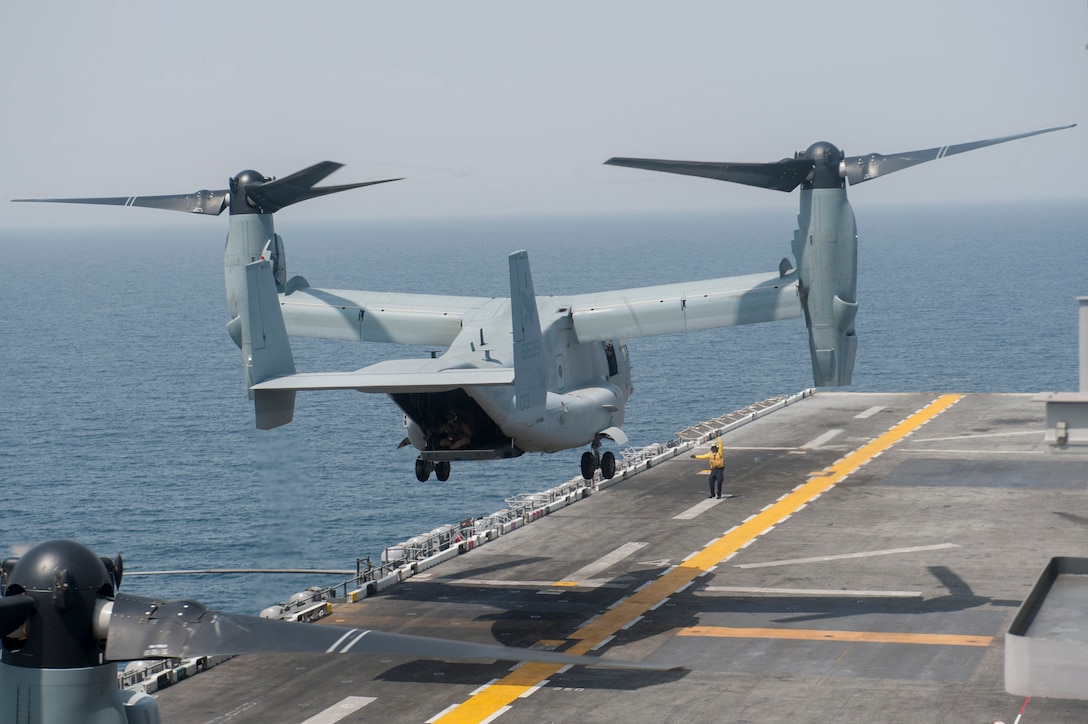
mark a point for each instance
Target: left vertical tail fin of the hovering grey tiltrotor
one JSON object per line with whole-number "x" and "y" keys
{"x": 266, "y": 350}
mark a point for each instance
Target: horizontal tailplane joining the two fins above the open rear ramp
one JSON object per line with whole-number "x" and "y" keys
{"x": 395, "y": 376}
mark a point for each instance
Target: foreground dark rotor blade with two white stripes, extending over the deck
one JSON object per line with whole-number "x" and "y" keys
{"x": 144, "y": 628}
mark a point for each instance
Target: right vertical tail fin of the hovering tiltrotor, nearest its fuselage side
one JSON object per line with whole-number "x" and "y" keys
{"x": 530, "y": 383}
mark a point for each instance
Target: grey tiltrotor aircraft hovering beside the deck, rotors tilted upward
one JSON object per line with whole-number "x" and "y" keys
{"x": 531, "y": 374}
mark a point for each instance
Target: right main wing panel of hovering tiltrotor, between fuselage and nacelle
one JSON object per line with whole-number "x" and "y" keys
{"x": 686, "y": 306}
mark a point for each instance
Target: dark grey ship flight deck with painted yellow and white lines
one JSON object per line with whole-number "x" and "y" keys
{"x": 872, "y": 557}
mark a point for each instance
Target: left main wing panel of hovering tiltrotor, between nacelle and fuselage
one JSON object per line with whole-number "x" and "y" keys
{"x": 377, "y": 316}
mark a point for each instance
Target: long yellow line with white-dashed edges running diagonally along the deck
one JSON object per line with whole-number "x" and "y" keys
{"x": 489, "y": 701}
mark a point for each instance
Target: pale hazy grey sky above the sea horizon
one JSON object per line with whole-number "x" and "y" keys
{"x": 505, "y": 107}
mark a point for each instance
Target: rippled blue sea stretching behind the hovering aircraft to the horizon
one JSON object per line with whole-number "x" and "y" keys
{"x": 126, "y": 422}
